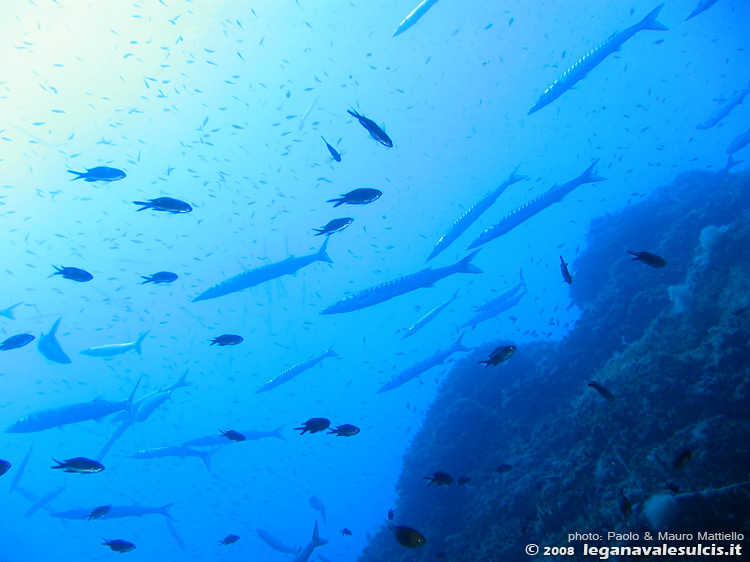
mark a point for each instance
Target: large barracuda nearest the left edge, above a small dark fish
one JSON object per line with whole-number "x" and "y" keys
{"x": 74, "y": 413}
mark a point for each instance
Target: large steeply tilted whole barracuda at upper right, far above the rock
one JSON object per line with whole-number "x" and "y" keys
{"x": 590, "y": 60}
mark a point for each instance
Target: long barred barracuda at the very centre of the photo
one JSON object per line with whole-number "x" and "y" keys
{"x": 401, "y": 285}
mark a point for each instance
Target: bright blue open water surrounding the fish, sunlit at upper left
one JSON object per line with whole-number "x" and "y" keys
{"x": 222, "y": 105}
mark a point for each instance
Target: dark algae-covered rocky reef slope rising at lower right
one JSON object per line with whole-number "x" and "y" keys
{"x": 681, "y": 383}
